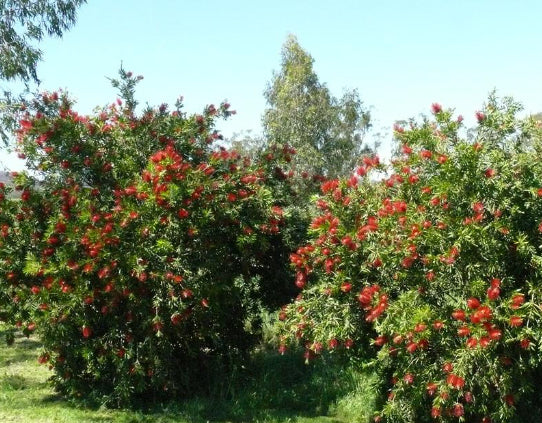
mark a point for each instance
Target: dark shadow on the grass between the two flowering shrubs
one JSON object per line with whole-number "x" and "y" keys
{"x": 272, "y": 388}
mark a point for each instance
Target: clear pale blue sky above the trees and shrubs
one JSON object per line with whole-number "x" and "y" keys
{"x": 401, "y": 55}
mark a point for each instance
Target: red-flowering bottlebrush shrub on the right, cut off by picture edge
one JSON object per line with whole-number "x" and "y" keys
{"x": 438, "y": 264}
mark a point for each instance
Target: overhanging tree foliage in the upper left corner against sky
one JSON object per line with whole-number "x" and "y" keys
{"x": 23, "y": 24}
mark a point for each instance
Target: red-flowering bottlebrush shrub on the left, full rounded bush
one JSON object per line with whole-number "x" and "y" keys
{"x": 144, "y": 270}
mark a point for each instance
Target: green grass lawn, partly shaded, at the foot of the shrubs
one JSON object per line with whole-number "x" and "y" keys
{"x": 282, "y": 389}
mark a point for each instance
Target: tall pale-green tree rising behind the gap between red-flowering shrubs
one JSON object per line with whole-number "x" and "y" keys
{"x": 326, "y": 131}
